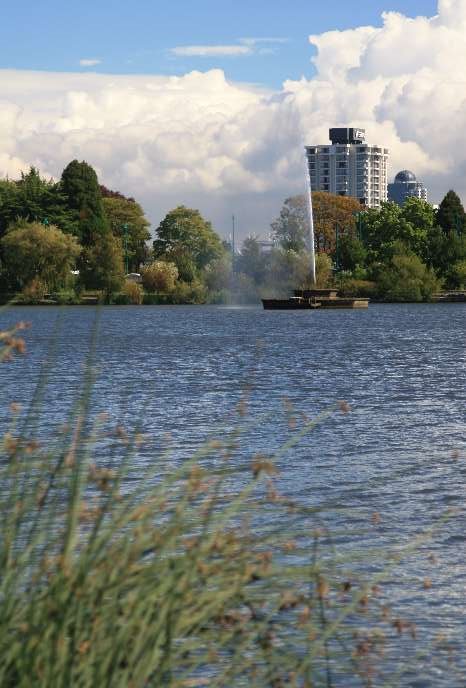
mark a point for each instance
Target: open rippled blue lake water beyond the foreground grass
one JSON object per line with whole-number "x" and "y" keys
{"x": 400, "y": 453}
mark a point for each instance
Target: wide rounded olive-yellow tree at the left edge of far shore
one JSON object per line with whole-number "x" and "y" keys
{"x": 33, "y": 251}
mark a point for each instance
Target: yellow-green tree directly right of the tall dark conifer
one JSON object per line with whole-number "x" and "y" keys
{"x": 127, "y": 217}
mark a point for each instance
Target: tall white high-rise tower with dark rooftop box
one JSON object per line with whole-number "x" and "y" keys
{"x": 349, "y": 167}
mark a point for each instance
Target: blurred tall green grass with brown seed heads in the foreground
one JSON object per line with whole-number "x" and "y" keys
{"x": 200, "y": 576}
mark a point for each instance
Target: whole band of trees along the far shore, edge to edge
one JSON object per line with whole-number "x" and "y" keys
{"x": 73, "y": 235}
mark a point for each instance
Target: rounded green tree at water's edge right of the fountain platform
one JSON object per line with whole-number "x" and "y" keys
{"x": 406, "y": 278}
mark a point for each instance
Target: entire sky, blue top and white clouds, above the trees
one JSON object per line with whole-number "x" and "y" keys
{"x": 209, "y": 104}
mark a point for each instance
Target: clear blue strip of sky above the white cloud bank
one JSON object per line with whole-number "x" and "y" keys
{"x": 139, "y": 37}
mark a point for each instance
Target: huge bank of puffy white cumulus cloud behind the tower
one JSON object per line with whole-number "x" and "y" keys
{"x": 226, "y": 147}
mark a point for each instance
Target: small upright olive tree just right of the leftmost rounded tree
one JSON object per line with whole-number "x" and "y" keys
{"x": 102, "y": 265}
